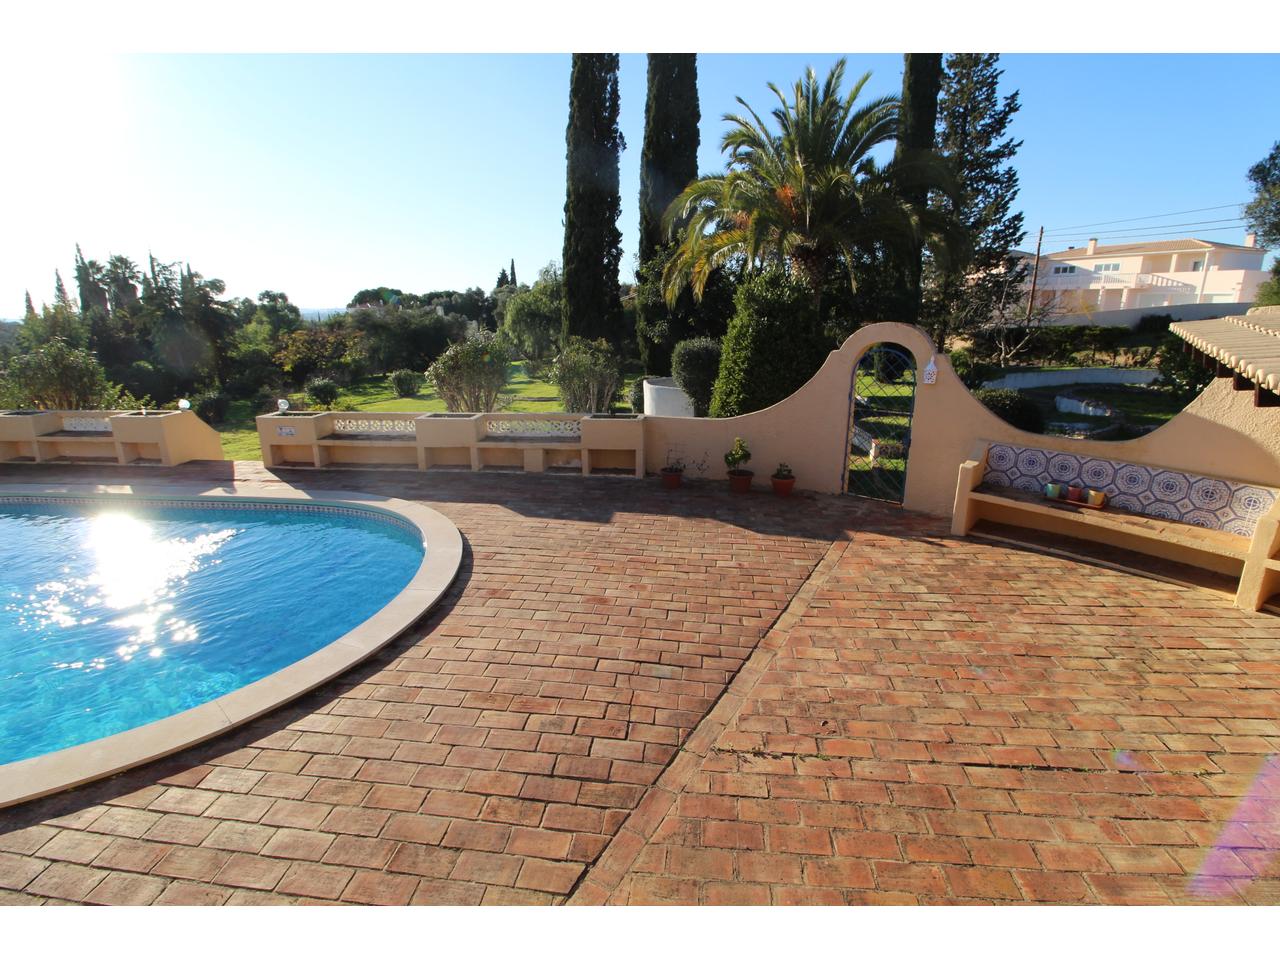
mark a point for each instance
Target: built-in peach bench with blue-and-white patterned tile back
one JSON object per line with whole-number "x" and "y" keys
{"x": 1220, "y": 525}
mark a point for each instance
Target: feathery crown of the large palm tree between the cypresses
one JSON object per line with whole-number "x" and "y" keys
{"x": 810, "y": 195}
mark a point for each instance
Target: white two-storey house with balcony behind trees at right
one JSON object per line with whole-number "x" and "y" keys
{"x": 1153, "y": 275}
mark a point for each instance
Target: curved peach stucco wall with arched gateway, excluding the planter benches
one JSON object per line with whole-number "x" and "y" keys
{"x": 1220, "y": 433}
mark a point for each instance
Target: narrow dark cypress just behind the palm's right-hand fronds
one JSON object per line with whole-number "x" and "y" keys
{"x": 922, "y": 79}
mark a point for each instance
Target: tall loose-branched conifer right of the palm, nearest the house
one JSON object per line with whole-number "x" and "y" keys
{"x": 973, "y": 136}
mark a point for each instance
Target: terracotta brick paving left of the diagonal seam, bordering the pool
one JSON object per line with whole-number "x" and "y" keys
{"x": 486, "y": 757}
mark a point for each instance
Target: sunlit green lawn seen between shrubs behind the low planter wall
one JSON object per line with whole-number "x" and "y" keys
{"x": 524, "y": 395}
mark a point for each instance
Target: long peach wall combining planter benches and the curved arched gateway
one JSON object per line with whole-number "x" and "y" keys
{"x": 1220, "y": 433}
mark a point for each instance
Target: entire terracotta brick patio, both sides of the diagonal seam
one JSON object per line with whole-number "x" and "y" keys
{"x": 925, "y": 721}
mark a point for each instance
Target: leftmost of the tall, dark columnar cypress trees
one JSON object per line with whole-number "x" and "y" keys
{"x": 592, "y": 241}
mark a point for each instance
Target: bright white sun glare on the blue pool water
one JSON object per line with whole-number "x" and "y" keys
{"x": 134, "y": 580}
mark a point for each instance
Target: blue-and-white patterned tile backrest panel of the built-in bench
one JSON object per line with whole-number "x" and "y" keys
{"x": 1158, "y": 492}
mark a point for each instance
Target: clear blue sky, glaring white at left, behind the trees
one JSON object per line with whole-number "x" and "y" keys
{"x": 322, "y": 175}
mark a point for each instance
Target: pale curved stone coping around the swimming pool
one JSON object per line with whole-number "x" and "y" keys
{"x": 75, "y": 766}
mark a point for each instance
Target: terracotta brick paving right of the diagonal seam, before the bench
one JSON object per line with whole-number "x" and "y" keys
{"x": 954, "y": 723}
